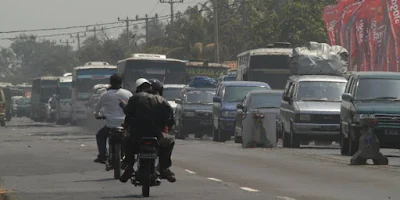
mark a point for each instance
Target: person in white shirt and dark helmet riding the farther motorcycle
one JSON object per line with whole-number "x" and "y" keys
{"x": 109, "y": 100}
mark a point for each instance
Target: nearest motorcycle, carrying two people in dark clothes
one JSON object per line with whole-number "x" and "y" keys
{"x": 146, "y": 174}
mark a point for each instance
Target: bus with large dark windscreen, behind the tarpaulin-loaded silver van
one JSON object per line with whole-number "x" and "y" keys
{"x": 269, "y": 65}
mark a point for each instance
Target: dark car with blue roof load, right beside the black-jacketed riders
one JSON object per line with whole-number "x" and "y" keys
{"x": 194, "y": 112}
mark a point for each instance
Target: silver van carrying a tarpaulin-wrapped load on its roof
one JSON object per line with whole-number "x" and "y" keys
{"x": 310, "y": 109}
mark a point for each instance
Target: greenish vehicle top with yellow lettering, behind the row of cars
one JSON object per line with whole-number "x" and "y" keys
{"x": 204, "y": 68}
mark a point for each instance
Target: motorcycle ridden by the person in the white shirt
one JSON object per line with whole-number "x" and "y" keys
{"x": 115, "y": 141}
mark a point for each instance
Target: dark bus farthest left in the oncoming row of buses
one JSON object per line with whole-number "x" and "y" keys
{"x": 42, "y": 89}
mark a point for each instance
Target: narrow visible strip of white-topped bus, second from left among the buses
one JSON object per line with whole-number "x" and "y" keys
{"x": 64, "y": 100}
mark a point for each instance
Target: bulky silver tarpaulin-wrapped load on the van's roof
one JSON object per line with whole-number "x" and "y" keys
{"x": 319, "y": 58}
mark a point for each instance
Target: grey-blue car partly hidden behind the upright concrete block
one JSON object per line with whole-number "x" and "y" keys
{"x": 256, "y": 102}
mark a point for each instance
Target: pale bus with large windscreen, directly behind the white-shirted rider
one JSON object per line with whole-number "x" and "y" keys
{"x": 83, "y": 80}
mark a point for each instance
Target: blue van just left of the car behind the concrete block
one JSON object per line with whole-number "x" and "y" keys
{"x": 228, "y": 95}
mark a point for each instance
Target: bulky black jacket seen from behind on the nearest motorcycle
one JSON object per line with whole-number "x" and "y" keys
{"x": 148, "y": 114}
